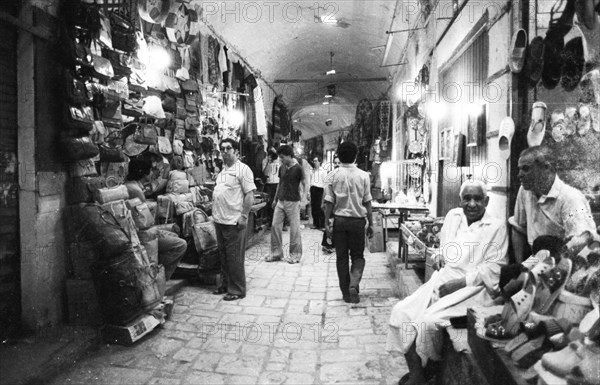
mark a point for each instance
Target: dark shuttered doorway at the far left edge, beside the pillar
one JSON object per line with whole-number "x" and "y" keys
{"x": 10, "y": 272}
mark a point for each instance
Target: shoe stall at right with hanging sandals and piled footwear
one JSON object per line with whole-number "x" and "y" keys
{"x": 548, "y": 330}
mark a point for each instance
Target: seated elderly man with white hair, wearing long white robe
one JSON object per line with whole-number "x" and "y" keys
{"x": 473, "y": 248}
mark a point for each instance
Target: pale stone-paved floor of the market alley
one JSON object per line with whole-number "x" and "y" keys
{"x": 292, "y": 328}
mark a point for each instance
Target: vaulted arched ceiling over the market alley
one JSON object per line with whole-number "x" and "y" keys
{"x": 289, "y": 46}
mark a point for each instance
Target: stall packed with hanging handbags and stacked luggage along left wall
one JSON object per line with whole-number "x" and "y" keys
{"x": 145, "y": 81}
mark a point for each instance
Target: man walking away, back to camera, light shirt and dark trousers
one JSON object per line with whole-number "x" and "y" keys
{"x": 348, "y": 198}
